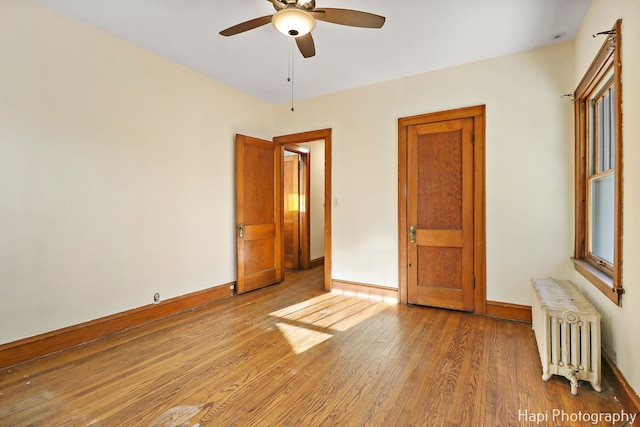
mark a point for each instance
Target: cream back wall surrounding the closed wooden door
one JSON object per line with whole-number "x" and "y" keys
{"x": 529, "y": 205}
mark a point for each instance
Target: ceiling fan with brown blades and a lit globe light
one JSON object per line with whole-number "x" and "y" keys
{"x": 296, "y": 18}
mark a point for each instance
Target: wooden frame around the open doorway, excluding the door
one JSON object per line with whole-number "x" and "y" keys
{"x": 309, "y": 136}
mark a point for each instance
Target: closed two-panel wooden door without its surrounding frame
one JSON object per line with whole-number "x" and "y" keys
{"x": 440, "y": 214}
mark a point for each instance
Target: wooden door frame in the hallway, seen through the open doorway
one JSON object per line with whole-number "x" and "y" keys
{"x": 304, "y": 189}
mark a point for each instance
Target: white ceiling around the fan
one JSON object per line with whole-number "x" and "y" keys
{"x": 418, "y": 36}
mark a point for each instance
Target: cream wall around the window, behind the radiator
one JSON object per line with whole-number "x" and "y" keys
{"x": 619, "y": 325}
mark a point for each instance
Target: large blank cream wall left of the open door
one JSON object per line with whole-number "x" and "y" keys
{"x": 116, "y": 173}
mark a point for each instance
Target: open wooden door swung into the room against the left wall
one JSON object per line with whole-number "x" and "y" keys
{"x": 258, "y": 214}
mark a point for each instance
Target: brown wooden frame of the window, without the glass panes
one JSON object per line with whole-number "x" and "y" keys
{"x": 605, "y": 276}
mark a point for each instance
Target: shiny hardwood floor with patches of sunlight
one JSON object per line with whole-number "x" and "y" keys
{"x": 293, "y": 355}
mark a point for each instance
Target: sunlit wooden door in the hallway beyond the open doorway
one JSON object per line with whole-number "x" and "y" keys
{"x": 291, "y": 180}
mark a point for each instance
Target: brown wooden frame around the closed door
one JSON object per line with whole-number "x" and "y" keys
{"x": 479, "y": 215}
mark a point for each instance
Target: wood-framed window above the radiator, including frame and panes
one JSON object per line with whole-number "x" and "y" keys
{"x": 598, "y": 167}
